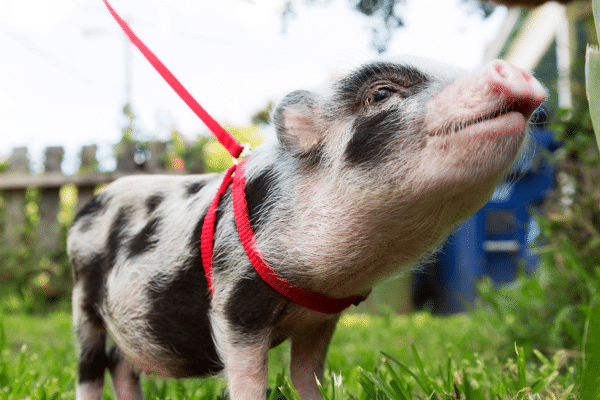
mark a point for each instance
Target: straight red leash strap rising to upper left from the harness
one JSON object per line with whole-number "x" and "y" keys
{"x": 229, "y": 142}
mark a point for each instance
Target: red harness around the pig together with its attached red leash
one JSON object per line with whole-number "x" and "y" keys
{"x": 303, "y": 297}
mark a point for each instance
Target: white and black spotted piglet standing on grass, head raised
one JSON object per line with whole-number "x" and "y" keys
{"x": 363, "y": 180}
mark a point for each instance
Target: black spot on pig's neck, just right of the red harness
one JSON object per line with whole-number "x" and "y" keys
{"x": 260, "y": 192}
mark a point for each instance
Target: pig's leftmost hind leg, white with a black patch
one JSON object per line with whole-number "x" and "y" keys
{"x": 91, "y": 335}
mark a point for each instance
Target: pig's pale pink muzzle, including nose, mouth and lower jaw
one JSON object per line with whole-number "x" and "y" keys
{"x": 475, "y": 128}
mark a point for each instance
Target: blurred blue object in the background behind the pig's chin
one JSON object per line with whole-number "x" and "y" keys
{"x": 496, "y": 241}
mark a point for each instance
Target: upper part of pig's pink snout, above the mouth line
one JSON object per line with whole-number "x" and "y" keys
{"x": 500, "y": 88}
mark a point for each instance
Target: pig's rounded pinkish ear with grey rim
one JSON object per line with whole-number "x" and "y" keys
{"x": 297, "y": 125}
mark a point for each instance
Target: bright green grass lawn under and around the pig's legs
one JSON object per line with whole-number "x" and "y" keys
{"x": 418, "y": 356}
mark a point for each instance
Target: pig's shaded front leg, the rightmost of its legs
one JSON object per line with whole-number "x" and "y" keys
{"x": 309, "y": 349}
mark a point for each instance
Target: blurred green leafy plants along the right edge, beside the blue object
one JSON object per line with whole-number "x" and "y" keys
{"x": 555, "y": 307}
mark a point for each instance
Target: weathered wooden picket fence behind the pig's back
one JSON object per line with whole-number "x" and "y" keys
{"x": 15, "y": 182}
